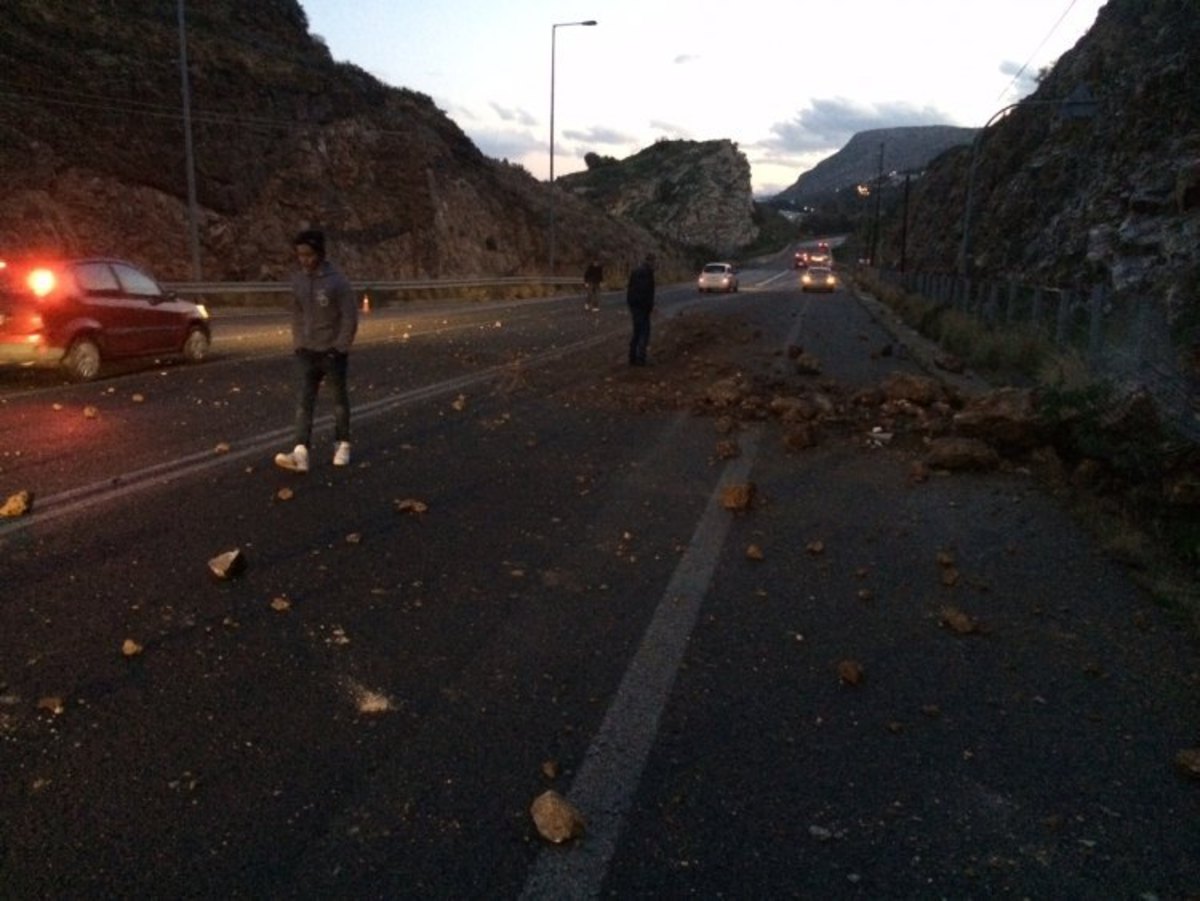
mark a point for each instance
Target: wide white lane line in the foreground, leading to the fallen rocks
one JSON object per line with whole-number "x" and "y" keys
{"x": 614, "y": 764}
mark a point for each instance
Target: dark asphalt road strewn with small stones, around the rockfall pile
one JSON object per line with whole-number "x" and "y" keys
{"x": 370, "y": 710}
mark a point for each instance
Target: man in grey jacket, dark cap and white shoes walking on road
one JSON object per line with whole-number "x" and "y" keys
{"x": 325, "y": 321}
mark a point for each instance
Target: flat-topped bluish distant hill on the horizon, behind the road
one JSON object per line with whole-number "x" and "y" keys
{"x": 909, "y": 149}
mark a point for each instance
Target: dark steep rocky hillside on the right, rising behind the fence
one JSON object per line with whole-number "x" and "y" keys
{"x": 1066, "y": 200}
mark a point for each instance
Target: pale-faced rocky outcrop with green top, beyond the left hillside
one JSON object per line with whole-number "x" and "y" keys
{"x": 697, "y": 194}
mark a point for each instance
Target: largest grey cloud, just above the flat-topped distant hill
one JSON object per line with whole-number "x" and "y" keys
{"x": 829, "y": 125}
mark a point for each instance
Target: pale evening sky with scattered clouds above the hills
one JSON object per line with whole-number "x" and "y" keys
{"x": 789, "y": 81}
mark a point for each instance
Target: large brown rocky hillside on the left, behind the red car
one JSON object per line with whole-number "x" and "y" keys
{"x": 93, "y": 153}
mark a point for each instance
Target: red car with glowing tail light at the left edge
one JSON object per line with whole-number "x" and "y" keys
{"x": 80, "y": 314}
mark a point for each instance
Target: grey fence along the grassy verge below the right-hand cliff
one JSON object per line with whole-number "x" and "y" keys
{"x": 1129, "y": 341}
